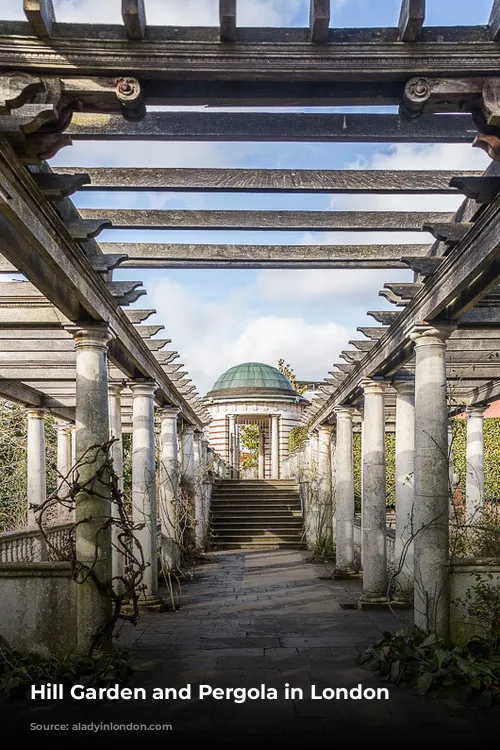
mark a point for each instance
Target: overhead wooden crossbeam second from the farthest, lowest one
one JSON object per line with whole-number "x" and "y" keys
{"x": 394, "y": 221}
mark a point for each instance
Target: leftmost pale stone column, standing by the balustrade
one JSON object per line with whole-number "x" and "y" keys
{"x": 37, "y": 479}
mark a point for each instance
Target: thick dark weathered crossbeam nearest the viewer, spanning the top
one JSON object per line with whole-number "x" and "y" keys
{"x": 196, "y": 53}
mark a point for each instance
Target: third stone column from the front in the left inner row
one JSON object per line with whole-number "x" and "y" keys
{"x": 169, "y": 488}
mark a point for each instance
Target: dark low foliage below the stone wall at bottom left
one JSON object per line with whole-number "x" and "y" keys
{"x": 18, "y": 671}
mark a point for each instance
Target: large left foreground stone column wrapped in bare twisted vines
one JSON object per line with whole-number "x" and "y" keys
{"x": 93, "y": 504}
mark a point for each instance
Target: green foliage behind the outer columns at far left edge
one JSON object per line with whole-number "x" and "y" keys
{"x": 13, "y": 464}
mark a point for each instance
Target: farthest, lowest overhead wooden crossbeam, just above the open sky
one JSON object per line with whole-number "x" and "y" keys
{"x": 162, "y": 255}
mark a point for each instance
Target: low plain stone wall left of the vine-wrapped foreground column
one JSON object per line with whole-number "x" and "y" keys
{"x": 38, "y": 607}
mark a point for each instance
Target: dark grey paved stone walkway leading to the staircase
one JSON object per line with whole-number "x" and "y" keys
{"x": 264, "y": 618}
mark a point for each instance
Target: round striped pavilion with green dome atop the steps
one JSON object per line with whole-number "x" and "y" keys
{"x": 254, "y": 393}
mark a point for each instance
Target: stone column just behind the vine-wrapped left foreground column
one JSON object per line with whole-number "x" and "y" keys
{"x": 144, "y": 486}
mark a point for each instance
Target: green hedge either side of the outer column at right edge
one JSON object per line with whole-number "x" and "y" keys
{"x": 491, "y": 455}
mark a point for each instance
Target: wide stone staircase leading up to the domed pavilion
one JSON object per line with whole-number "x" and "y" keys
{"x": 257, "y": 514}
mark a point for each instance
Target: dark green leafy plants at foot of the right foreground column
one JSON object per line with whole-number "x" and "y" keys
{"x": 429, "y": 667}
